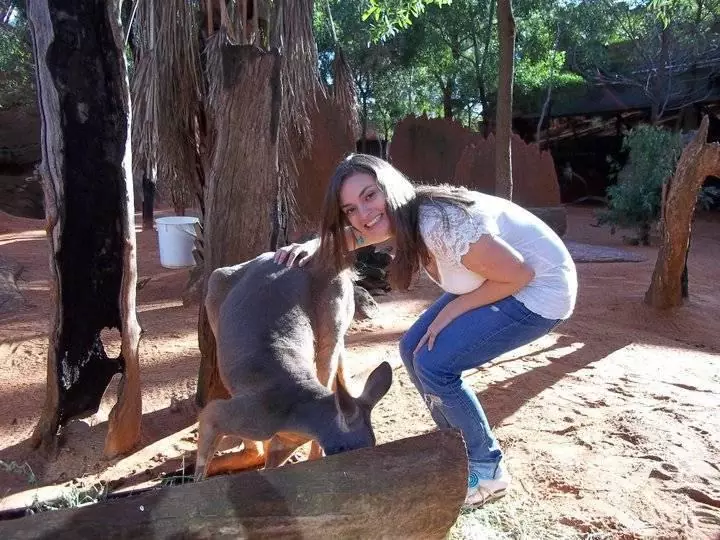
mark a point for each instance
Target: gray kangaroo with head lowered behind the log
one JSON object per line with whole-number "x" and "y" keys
{"x": 280, "y": 340}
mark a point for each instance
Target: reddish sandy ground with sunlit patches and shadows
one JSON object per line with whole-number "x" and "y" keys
{"x": 610, "y": 424}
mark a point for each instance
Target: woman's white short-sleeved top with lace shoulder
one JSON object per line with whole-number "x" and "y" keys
{"x": 552, "y": 291}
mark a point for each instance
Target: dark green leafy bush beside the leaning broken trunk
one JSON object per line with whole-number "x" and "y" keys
{"x": 634, "y": 202}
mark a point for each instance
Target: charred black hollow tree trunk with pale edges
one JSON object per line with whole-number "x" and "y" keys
{"x": 84, "y": 105}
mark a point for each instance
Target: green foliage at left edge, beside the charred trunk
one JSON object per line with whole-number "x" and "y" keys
{"x": 16, "y": 66}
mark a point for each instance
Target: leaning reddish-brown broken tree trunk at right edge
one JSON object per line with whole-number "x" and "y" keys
{"x": 698, "y": 160}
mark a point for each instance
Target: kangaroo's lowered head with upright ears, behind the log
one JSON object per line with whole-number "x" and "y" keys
{"x": 353, "y": 414}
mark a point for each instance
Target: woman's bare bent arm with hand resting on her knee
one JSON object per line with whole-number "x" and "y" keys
{"x": 505, "y": 273}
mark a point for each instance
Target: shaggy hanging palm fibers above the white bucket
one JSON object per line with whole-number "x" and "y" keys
{"x": 166, "y": 94}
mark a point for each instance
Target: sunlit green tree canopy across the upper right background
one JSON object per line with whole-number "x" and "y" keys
{"x": 431, "y": 46}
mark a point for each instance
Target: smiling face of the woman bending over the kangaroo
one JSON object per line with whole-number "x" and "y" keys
{"x": 364, "y": 204}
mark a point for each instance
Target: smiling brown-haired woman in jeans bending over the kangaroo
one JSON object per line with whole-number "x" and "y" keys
{"x": 508, "y": 280}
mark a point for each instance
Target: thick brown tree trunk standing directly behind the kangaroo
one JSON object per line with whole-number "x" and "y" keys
{"x": 242, "y": 187}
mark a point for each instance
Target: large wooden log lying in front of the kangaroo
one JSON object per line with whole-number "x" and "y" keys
{"x": 408, "y": 488}
